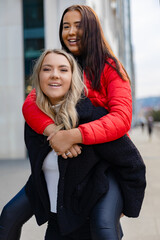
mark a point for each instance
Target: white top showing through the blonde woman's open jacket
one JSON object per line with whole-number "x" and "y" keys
{"x": 51, "y": 173}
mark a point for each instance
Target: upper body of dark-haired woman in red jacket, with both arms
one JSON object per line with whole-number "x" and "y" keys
{"x": 107, "y": 82}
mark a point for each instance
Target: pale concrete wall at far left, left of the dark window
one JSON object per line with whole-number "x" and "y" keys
{"x": 11, "y": 80}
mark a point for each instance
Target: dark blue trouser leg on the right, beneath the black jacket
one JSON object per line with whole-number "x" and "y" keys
{"x": 104, "y": 219}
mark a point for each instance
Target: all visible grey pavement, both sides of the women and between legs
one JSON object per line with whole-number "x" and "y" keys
{"x": 14, "y": 174}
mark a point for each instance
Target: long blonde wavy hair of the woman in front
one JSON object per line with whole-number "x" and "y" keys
{"x": 66, "y": 117}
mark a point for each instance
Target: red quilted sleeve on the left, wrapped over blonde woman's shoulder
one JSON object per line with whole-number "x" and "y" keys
{"x": 35, "y": 118}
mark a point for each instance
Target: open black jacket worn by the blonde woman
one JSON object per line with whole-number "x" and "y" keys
{"x": 83, "y": 180}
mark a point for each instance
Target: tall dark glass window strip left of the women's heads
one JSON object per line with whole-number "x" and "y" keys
{"x": 33, "y": 26}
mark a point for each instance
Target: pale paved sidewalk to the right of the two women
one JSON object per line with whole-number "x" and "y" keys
{"x": 147, "y": 226}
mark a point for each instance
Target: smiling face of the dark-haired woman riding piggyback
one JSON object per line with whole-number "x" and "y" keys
{"x": 71, "y": 32}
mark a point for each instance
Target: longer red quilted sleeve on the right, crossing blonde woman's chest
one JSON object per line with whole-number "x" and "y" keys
{"x": 119, "y": 104}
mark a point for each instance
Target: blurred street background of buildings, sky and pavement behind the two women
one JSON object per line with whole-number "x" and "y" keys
{"x": 132, "y": 28}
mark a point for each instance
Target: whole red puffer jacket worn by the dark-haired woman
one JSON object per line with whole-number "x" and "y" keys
{"x": 114, "y": 95}
